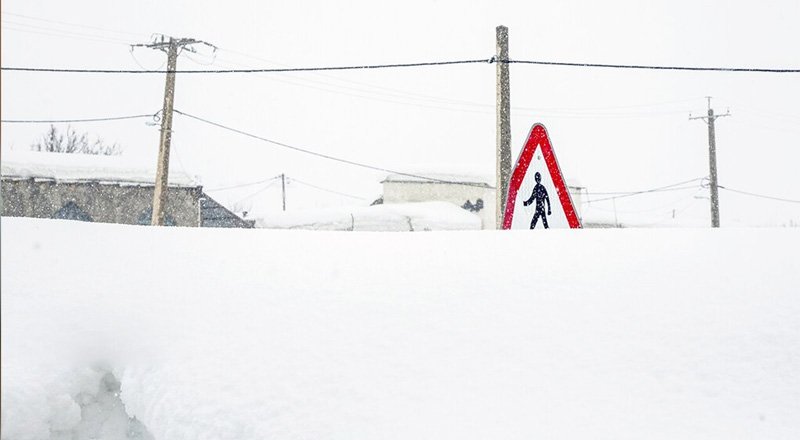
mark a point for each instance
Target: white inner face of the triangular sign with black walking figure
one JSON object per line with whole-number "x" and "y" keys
{"x": 543, "y": 210}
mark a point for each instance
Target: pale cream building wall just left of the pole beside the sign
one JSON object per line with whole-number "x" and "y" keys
{"x": 410, "y": 192}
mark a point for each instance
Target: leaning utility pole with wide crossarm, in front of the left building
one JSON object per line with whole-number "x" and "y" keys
{"x": 171, "y": 46}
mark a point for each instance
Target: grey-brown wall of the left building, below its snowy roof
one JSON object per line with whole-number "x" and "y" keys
{"x": 107, "y": 203}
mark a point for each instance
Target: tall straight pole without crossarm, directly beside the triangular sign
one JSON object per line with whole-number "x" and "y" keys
{"x": 503, "y": 124}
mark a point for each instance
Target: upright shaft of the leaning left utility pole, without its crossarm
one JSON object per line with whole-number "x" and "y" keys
{"x": 162, "y": 169}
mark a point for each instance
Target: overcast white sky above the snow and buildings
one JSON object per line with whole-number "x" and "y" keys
{"x": 612, "y": 130}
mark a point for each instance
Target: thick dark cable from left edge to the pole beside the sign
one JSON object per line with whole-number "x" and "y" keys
{"x": 271, "y": 70}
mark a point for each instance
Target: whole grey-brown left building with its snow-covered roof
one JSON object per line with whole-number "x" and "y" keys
{"x": 102, "y": 189}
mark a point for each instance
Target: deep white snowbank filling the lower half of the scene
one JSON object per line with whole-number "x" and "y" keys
{"x": 264, "y": 334}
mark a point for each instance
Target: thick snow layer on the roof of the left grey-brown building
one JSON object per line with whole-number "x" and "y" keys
{"x": 62, "y": 167}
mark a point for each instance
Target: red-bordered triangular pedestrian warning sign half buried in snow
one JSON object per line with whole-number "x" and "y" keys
{"x": 537, "y": 194}
